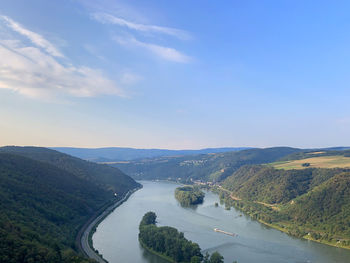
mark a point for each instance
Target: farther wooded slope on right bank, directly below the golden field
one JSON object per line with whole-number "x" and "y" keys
{"x": 270, "y": 185}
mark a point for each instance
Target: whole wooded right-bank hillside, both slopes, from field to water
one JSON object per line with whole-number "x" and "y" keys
{"x": 311, "y": 203}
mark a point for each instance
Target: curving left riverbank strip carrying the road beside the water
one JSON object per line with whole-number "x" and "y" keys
{"x": 84, "y": 236}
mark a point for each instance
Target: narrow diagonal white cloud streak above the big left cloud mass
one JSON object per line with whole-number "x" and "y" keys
{"x": 32, "y": 36}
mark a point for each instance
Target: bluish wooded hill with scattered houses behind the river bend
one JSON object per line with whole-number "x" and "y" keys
{"x": 205, "y": 167}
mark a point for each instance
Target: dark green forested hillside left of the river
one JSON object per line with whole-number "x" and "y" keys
{"x": 43, "y": 206}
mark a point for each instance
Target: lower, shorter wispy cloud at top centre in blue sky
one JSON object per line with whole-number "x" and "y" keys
{"x": 167, "y": 53}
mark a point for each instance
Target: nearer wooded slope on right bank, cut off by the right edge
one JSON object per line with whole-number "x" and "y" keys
{"x": 326, "y": 208}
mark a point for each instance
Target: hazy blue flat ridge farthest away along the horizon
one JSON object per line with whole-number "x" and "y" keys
{"x": 113, "y": 154}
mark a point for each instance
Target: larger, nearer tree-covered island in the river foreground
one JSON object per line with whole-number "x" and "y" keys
{"x": 170, "y": 243}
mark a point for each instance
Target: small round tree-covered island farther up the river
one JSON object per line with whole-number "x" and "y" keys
{"x": 189, "y": 195}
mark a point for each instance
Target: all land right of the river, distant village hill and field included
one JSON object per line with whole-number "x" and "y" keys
{"x": 307, "y": 201}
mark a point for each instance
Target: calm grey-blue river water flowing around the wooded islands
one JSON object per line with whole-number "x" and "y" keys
{"x": 116, "y": 237}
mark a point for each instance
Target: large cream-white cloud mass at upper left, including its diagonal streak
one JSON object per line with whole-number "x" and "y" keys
{"x": 34, "y": 71}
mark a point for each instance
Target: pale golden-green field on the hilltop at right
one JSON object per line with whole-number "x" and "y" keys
{"x": 333, "y": 161}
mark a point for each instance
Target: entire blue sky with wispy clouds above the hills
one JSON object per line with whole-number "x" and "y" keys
{"x": 183, "y": 74}
